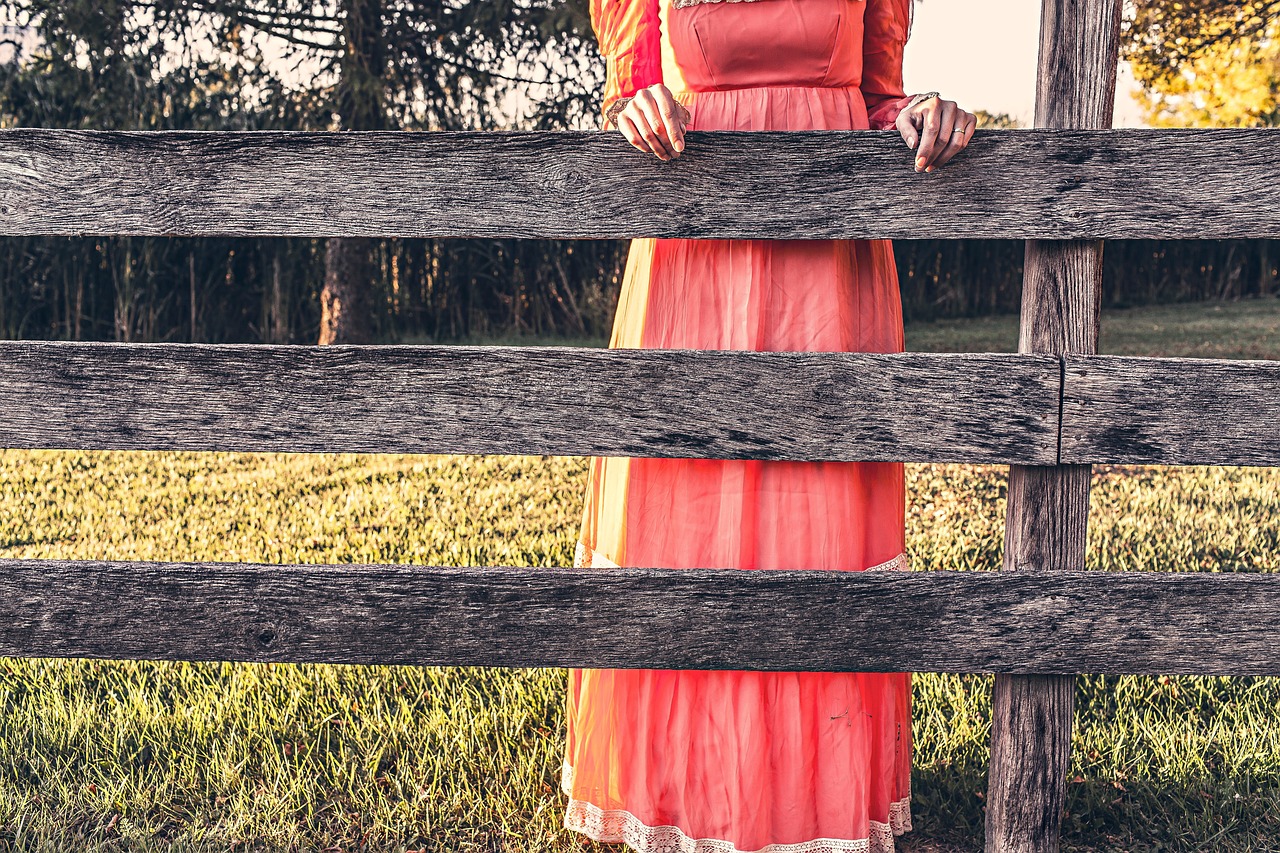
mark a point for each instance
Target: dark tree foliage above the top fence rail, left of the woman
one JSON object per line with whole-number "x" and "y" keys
{"x": 355, "y": 65}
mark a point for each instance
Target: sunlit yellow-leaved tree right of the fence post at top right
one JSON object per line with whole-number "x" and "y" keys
{"x": 1206, "y": 63}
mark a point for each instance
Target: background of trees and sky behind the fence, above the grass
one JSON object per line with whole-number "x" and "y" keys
{"x": 502, "y": 65}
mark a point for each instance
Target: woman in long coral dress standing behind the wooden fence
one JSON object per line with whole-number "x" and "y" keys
{"x": 726, "y": 761}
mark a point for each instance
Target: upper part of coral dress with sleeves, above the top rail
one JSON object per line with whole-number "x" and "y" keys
{"x": 705, "y": 47}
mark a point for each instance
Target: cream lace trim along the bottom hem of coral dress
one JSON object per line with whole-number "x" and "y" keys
{"x": 618, "y": 825}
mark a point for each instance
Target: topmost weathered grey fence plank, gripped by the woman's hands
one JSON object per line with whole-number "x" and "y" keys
{"x": 1049, "y": 185}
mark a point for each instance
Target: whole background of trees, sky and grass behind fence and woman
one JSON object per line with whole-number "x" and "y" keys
{"x": 221, "y": 756}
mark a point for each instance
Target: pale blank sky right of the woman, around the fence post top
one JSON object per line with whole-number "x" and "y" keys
{"x": 982, "y": 54}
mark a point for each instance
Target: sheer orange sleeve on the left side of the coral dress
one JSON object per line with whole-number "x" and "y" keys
{"x": 629, "y": 33}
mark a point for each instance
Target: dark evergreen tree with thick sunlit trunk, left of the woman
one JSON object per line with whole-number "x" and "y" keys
{"x": 395, "y": 65}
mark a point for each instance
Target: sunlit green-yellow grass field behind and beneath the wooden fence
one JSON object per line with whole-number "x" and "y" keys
{"x": 143, "y": 756}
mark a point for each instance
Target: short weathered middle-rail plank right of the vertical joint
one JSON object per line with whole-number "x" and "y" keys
{"x": 1172, "y": 412}
